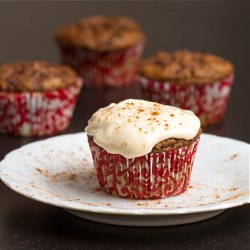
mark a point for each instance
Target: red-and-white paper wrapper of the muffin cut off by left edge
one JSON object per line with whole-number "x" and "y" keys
{"x": 37, "y": 113}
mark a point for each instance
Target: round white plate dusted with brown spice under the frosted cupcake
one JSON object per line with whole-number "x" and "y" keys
{"x": 59, "y": 171}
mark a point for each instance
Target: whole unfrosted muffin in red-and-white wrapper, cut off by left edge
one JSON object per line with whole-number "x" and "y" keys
{"x": 37, "y": 98}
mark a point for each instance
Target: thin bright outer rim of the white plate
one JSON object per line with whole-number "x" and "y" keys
{"x": 114, "y": 210}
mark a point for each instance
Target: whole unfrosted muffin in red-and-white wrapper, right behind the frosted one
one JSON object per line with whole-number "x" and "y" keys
{"x": 190, "y": 80}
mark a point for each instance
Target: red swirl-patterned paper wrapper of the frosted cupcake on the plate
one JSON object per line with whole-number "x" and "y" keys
{"x": 153, "y": 176}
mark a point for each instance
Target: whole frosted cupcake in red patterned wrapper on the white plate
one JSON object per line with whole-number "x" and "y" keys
{"x": 143, "y": 150}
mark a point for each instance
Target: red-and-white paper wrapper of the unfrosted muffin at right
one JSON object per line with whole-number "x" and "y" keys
{"x": 207, "y": 101}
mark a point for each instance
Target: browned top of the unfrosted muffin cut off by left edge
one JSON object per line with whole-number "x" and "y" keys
{"x": 35, "y": 76}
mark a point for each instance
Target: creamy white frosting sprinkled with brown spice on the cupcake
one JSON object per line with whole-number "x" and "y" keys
{"x": 133, "y": 127}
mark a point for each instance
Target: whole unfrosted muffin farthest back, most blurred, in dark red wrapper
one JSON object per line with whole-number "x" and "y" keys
{"x": 104, "y": 50}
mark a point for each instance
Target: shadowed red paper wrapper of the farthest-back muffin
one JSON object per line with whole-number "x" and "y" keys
{"x": 104, "y": 69}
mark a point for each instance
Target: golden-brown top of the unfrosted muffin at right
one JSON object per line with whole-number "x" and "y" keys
{"x": 186, "y": 67}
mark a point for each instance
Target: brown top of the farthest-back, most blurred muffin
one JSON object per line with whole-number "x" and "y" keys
{"x": 101, "y": 33}
